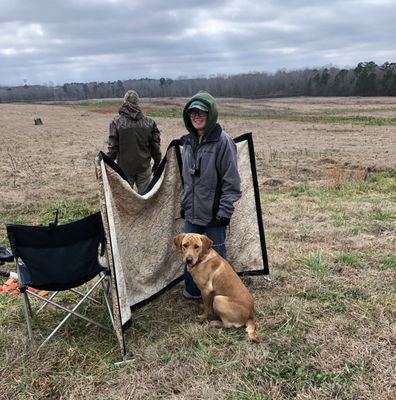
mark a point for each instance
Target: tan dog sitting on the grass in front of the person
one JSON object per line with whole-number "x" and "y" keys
{"x": 224, "y": 295}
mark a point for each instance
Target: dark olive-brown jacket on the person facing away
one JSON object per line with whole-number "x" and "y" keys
{"x": 133, "y": 140}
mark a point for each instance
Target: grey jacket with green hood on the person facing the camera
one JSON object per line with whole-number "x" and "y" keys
{"x": 210, "y": 171}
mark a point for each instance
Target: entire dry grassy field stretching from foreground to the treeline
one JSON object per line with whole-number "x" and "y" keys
{"x": 327, "y": 176}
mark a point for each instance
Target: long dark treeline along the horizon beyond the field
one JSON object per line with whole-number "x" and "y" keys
{"x": 366, "y": 79}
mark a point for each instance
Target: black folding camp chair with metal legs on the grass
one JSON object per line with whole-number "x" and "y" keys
{"x": 59, "y": 258}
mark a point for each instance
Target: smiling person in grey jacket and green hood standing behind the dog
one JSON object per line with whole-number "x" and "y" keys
{"x": 211, "y": 182}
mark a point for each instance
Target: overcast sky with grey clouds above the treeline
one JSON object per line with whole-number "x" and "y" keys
{"x": 58, "y": 41}
